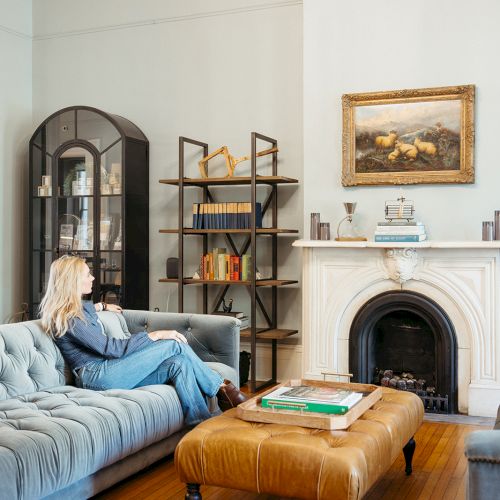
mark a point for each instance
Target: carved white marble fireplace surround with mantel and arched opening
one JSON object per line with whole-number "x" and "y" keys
{"x": 339, "y": 278}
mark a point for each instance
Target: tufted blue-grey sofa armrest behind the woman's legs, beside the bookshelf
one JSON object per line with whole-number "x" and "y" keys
{"x": 213, "y": 337}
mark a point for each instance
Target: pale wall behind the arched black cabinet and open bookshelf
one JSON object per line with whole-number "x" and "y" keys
{"x": 214, "y": 71}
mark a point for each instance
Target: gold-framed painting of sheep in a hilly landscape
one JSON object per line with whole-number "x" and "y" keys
{"x": 419, "y": 136}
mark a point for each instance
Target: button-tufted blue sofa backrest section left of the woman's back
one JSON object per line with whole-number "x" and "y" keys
{"x": 29, "y": 360}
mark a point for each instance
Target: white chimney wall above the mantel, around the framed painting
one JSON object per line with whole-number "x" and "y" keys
{"x": 368, "y": 46}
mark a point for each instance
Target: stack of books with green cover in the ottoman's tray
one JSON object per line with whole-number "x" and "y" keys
{"x": 315, "y": 399}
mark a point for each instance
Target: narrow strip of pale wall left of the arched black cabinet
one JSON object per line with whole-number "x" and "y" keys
{"x": 15, "y": 129}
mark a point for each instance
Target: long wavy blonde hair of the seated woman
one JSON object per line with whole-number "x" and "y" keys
{"x": 62, "y": 301}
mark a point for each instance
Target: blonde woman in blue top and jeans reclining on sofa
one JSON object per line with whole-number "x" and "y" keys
{"x": 100, "y": 362}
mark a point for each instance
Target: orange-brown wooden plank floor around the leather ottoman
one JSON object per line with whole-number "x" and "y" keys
{"x": 439, "y": 471}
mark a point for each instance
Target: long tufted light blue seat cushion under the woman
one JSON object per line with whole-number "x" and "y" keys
{"x": 51, "y": 439}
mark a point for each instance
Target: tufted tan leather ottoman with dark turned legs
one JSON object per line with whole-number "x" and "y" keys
{"x": 298, "y": 462}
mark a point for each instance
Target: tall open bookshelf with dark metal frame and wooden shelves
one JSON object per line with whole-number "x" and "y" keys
{"x": 250, "y": 234}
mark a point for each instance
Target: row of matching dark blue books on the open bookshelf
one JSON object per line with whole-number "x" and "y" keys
{"x": 228, "y": 215}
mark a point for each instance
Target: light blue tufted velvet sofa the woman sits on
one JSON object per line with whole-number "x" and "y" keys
{"x": 59, "y": 441}
